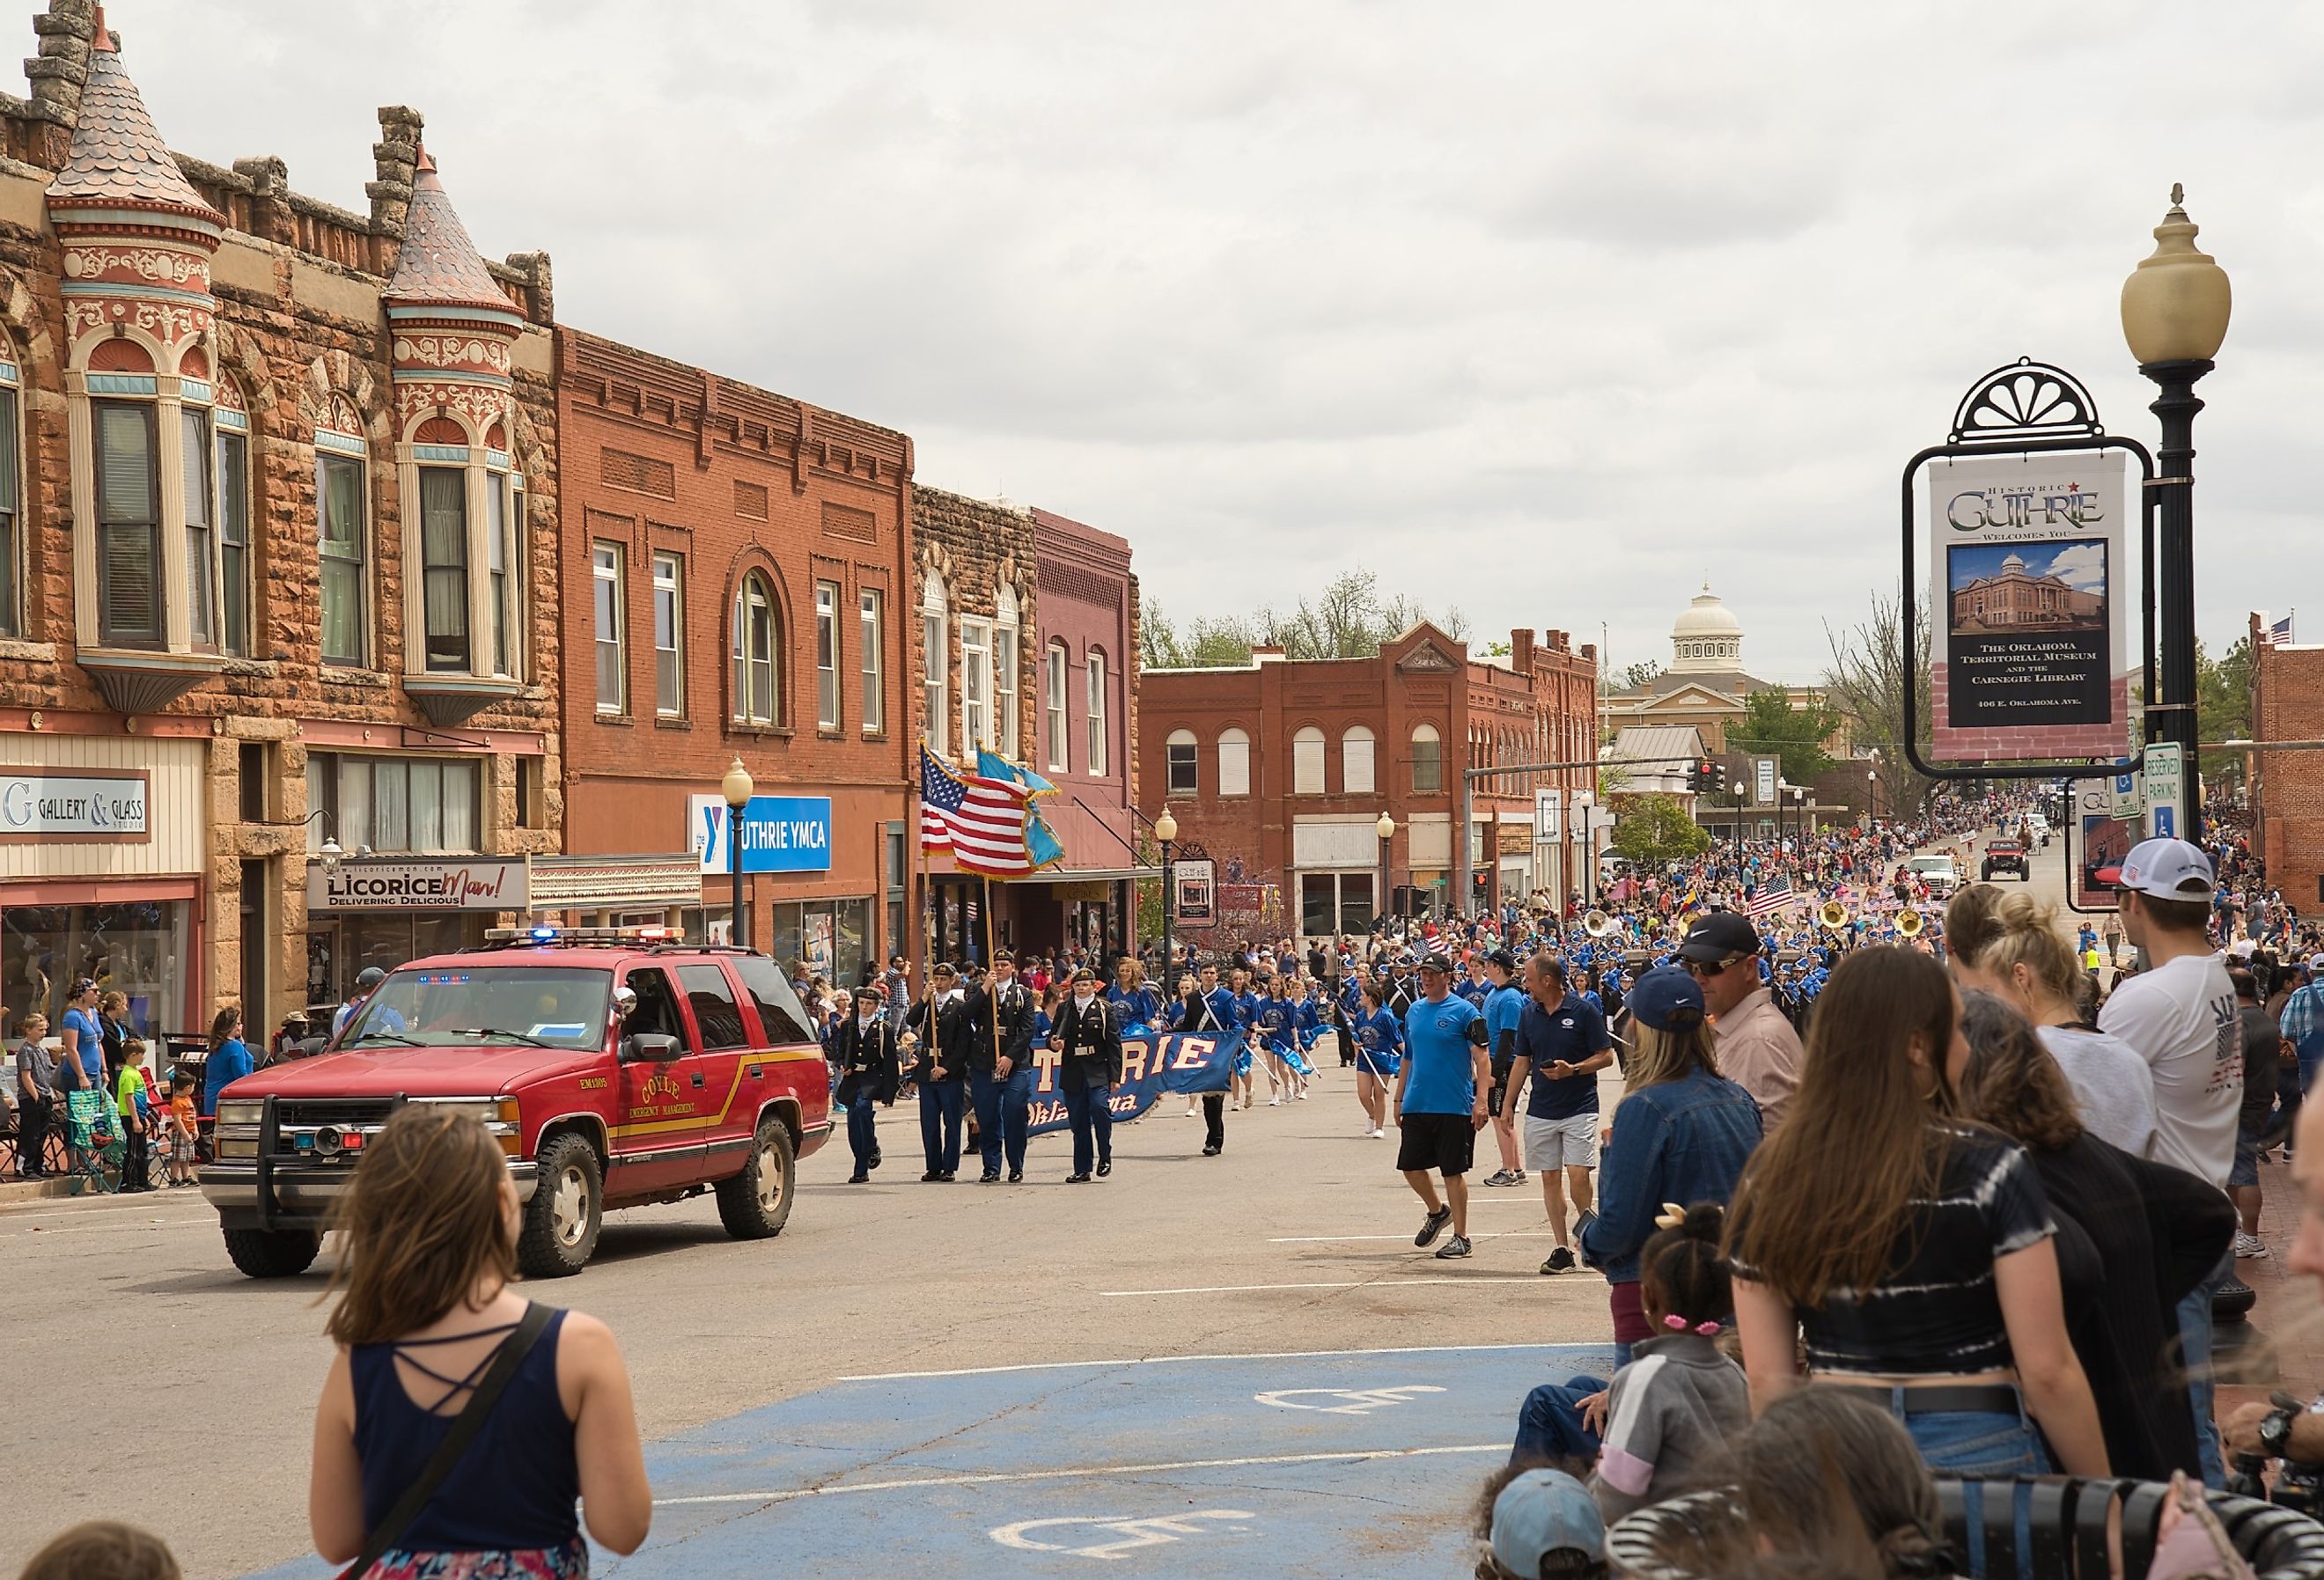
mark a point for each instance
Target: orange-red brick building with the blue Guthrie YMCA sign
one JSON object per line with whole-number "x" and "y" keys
{"x": 740, "y": 570}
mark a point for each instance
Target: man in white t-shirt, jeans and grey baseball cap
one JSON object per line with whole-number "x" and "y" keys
{"x": 2179, "y": 1014}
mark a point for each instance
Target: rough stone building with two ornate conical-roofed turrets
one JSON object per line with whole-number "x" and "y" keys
{"x": 278, "y": 563}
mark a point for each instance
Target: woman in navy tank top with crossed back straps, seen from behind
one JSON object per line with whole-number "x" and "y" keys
{"x": 426, "y": 1256}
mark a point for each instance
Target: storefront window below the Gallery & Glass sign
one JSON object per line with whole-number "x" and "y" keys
{"x": 136, "y": 949}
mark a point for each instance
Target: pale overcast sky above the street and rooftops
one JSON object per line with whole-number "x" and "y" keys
{"x": 1537, "y": 310}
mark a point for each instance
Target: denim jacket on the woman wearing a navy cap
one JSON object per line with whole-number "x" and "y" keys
{"x": 1674, "y": 1142}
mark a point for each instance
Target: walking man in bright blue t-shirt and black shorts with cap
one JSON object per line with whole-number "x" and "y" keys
{"x": 1442, "y": 1103}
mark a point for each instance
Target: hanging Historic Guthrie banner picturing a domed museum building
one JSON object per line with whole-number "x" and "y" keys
{"x": 2028, "y": 608}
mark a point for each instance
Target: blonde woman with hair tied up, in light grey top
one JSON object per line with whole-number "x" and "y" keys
{"x": 2032, "y": 968}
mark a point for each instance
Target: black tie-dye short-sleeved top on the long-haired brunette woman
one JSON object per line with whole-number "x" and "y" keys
{"x": 1937, "y": 1312}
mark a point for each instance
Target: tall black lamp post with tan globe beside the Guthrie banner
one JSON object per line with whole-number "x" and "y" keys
{"x": 2174, "y": 317}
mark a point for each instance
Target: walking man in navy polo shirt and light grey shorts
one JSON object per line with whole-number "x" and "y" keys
{"x": 1563, "y": 1047}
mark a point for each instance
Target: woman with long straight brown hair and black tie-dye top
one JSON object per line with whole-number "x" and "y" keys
{"x": 1914, "y": 1251}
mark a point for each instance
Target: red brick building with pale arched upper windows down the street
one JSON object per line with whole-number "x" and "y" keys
{"x": 1279, "y": 770}
